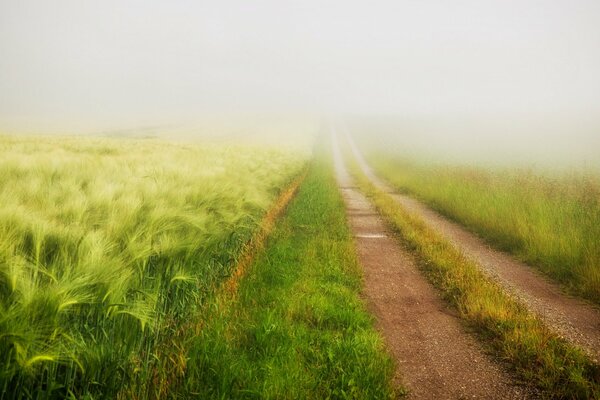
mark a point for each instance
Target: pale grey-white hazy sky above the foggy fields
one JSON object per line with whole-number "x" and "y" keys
{"x": 77, "y": 63}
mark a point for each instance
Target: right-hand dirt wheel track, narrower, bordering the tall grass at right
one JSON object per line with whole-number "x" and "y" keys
{"x": 577, "y": 320}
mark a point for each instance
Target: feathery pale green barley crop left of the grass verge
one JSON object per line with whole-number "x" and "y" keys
{"x": 107, "y": 245}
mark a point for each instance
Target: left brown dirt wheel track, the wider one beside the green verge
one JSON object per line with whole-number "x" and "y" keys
{"x": 436, "y": 358}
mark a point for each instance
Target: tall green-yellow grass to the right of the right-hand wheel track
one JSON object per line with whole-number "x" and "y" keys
{"x": 549, "y": 221}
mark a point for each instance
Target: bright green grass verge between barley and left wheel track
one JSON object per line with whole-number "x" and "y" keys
{"x": 297, "y": 327}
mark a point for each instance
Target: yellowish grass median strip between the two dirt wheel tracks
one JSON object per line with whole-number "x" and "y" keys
{"x": 538, "y": 355}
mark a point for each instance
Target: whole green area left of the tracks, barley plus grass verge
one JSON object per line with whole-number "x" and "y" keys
{"x": 141, "y": 268}
